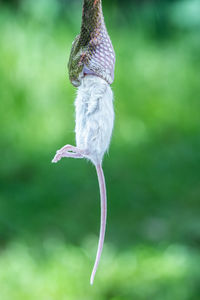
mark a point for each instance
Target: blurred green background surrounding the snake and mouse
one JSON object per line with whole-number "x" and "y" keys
{"x": 49, "y": 214}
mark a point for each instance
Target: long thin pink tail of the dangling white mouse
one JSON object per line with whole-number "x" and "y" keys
{"x": 102, "y": 187}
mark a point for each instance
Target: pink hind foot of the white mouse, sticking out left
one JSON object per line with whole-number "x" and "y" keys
{"x": 68, "y": 151}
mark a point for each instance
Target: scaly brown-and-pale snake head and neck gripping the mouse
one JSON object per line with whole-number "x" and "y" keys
{"x": 92, "y": 51}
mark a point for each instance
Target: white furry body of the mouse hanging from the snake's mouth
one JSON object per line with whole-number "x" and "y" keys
{"x": 94, "y": 117}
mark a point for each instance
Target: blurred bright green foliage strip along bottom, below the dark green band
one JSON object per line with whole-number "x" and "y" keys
{"x": 61, "y": 273}
